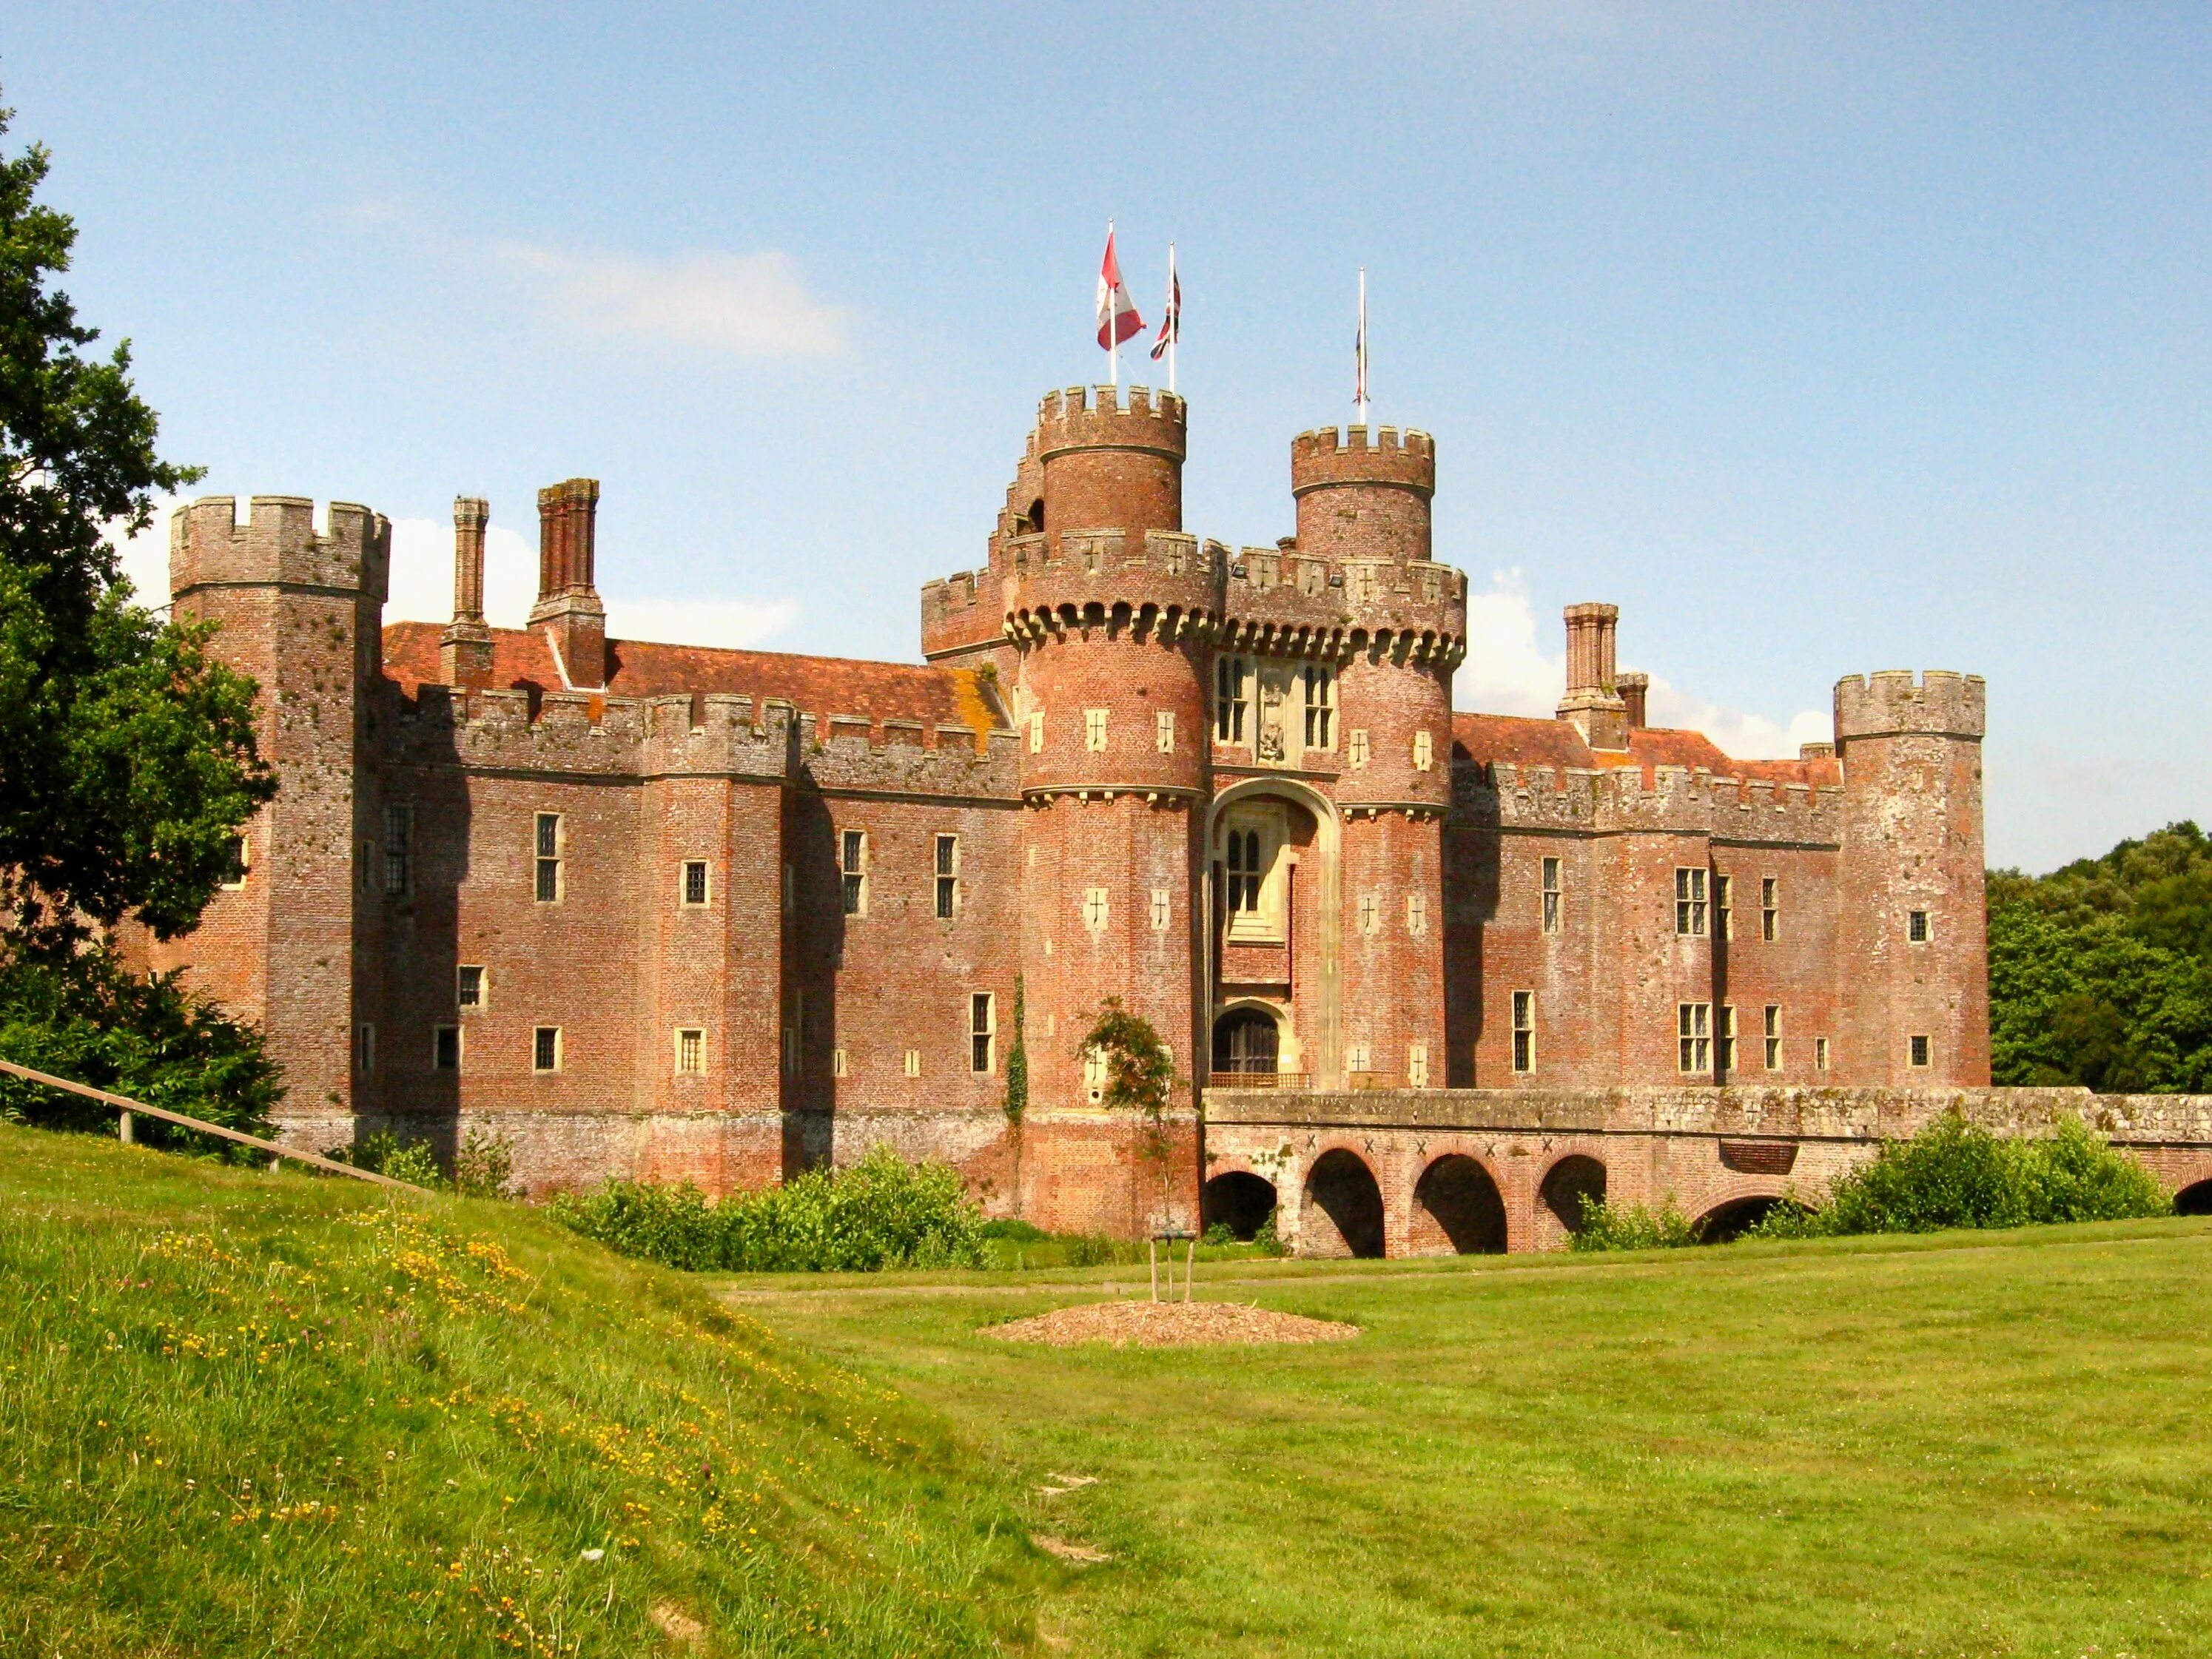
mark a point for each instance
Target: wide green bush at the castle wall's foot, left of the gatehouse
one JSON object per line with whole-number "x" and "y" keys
{"x": 879, "y": 1213}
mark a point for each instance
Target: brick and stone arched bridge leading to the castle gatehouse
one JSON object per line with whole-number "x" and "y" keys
{"x": 1452, "y": 1171}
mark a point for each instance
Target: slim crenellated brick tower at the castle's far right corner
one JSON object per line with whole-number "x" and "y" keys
{"x": 1912, "y": 926}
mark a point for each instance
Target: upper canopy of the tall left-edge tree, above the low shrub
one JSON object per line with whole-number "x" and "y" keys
{"x": 127, "y": 755}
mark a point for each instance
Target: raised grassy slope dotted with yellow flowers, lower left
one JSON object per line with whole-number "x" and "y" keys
{"x": 260, "y": 1415}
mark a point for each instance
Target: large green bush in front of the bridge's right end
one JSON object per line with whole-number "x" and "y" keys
{"x": 1959, "y": 1176}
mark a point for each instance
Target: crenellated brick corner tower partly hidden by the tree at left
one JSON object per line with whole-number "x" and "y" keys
{"x": 289, "y": 946}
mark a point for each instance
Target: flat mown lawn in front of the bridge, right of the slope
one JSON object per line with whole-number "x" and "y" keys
{"x": 1954, "y": 1446}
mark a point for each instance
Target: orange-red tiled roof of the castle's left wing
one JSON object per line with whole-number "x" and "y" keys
{"x": 817, "y": 687}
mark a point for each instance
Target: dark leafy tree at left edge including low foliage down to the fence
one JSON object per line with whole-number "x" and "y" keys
{"x": 127, "y": 755}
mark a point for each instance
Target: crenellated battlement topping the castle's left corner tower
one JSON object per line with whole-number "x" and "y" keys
{"x": 280, "y": 547}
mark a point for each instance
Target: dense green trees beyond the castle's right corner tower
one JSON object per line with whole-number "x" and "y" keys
{"x": 2103, "y": 972}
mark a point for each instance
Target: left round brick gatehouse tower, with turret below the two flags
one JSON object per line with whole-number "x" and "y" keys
{"x": 1112, "y": 625}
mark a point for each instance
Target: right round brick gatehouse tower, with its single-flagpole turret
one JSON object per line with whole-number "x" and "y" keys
{"x": 1364, "y": 505}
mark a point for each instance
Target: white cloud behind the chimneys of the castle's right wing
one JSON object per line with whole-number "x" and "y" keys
{"x": 1510, "y": 674}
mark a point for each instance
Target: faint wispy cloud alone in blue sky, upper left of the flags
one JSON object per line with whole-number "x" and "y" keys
{"x": 742, "y": 304}
